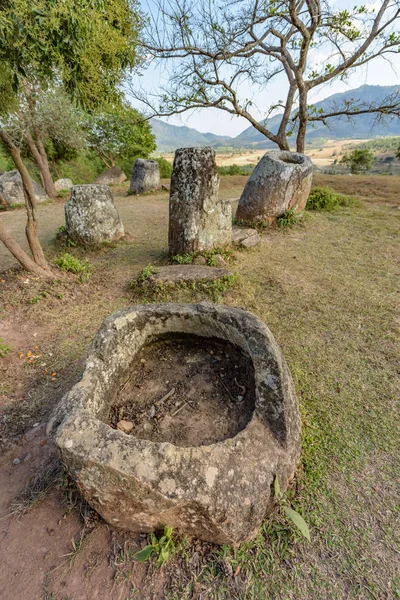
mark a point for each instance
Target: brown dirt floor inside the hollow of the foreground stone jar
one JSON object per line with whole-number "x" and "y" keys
{"x": 182, "y": 391}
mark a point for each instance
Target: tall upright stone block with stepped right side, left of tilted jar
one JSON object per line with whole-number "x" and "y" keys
{"x": 198, "y": 219}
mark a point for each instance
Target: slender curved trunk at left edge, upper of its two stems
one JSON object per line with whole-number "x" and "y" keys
{"x": 32, "y": 225}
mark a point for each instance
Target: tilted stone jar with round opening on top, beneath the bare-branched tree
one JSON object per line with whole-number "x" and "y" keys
{"x": 281, "y": 180}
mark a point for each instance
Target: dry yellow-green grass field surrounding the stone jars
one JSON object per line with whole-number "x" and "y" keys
{"x": 329, "y": 290}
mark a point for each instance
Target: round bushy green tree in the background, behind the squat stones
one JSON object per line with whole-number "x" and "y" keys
{"x": 119, "y": 133}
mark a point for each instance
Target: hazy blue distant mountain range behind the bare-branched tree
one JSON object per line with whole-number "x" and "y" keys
{"x": 170, "y": 137}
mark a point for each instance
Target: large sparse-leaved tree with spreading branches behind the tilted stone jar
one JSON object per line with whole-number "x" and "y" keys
{"x": 212, "y": 51}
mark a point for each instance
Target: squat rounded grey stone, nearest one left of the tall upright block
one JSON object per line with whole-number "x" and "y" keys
{"x": 91, "y": 216}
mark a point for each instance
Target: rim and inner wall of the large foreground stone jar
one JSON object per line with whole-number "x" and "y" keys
{"x": 136, "y": 326}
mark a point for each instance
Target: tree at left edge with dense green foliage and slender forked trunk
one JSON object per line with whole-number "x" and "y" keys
{"x": 85, "y": 46}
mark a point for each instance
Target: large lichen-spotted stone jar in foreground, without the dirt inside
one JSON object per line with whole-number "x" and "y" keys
{"x": 220, "y": 492}
